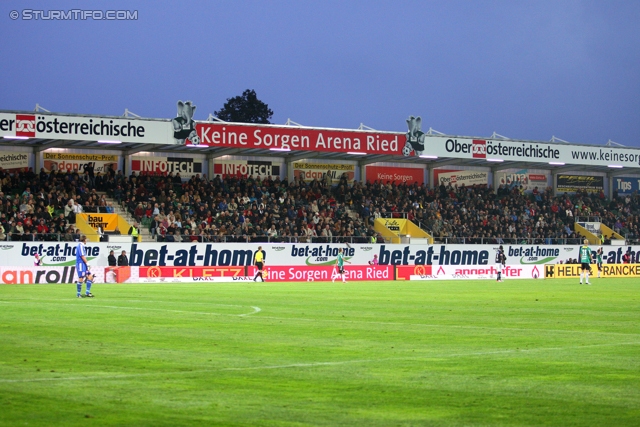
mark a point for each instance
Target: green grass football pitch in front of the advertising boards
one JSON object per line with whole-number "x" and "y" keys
{"x": 441, "y": 353}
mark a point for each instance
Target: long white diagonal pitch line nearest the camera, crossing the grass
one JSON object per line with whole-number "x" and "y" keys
{"x": 315, "y": 364}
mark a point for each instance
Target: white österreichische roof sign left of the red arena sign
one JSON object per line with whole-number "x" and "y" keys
{"x": 83, "y": 128}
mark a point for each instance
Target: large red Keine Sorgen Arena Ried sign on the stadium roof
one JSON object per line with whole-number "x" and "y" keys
{"x": 294, "y": 138}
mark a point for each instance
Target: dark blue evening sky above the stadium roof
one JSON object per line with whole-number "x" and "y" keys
{"x": 525, "y": 69}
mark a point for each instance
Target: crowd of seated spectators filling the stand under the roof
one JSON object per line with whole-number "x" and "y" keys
{"x": 232, "y": 209}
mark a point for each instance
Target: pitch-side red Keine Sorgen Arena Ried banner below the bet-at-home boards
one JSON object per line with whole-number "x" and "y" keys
{"x": 323, "y": 273}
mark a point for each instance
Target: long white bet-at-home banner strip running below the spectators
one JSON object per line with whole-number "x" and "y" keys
{"x": 292, "y": 254}
